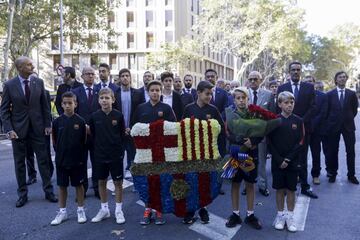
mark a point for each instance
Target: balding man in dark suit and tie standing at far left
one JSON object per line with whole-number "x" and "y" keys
{"x": 26, "y": 118}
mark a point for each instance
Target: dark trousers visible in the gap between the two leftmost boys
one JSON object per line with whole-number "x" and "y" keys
{"x": 89, "y": 150}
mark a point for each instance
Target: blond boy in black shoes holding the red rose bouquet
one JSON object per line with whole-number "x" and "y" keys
{"x": 241, "y": 101}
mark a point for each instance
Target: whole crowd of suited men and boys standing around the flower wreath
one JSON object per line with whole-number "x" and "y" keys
{"x": 95, "y": 121}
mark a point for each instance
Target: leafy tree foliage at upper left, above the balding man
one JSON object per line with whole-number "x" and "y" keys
{"x": 36, "y": 21}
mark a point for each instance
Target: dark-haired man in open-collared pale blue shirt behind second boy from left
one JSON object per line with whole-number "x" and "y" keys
{"x": 130, "y": 98}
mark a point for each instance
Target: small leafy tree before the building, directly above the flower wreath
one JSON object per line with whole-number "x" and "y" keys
{"x": 174, "y": 56}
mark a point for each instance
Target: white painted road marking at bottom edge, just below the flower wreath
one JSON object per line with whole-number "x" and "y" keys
{"x": 215, "y": 229}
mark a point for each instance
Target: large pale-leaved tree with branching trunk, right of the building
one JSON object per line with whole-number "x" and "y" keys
{"x": 251, "y": 29}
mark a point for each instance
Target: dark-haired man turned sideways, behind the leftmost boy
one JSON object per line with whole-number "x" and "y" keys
{"x": 70, "y": 82}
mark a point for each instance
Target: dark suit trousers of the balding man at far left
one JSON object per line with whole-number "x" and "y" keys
{"x": 19, "y": 151}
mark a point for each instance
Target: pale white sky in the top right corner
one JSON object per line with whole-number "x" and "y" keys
{"x": 322, "y": 15}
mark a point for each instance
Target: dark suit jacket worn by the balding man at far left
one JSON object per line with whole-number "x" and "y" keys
{"x": 18, "y": 115}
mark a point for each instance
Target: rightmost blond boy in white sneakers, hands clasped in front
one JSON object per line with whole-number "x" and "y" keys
{"x": 285, "y": 162}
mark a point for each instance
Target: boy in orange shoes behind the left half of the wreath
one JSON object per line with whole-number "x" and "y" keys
{"x": 149, "y": 112}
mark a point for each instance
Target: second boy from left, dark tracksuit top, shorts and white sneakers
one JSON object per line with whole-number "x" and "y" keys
{"x": 108, "y": 131}
